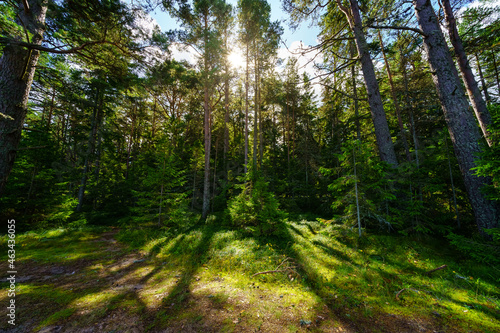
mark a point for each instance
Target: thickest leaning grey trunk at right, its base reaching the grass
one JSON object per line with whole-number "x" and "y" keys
{"x": 461, "y": 123}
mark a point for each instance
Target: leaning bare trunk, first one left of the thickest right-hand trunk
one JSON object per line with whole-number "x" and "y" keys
{"x": 382, "y": 133}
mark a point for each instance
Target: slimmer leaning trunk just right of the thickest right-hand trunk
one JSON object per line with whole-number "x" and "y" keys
{"x": 477, "y": 102}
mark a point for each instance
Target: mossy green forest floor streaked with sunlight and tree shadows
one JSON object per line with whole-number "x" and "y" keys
{"x": 144, "y": 279}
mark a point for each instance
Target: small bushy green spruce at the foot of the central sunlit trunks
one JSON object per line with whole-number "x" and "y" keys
{"x": 255, "y": 207}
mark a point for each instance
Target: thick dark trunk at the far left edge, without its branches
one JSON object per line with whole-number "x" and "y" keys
{"x": 17, "y": 68}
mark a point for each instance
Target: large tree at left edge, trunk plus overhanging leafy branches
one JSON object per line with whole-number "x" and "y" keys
{"x": 98, "y": 32}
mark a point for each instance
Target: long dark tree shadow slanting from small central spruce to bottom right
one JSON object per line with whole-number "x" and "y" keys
{"x": 346, "y": 307}
